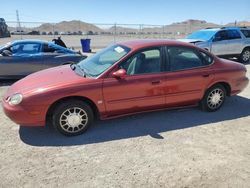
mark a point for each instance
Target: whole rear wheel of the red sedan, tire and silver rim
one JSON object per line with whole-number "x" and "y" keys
{"x": 213, "y": 98}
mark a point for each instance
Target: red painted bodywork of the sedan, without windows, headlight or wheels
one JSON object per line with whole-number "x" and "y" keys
{"x": 115, "y": 96}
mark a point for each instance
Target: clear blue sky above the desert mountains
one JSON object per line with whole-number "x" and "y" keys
{"x": 155, "y": 12}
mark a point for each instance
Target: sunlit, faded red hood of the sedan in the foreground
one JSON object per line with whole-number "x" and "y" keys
{"x": 58, "y": 77}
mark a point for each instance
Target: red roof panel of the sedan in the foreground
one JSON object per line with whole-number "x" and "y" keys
{"x": 147, "y": 43}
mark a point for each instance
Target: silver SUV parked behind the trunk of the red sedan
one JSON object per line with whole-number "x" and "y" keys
{"x": 224, "y": 42}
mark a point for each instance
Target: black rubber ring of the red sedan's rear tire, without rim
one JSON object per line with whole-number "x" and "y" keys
{"x": 204, "y": 104}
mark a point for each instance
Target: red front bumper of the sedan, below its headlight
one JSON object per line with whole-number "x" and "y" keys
{"x": 25, "y": 116}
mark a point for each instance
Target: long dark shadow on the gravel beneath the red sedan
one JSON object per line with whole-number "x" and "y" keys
{"x": 151, "y": 124}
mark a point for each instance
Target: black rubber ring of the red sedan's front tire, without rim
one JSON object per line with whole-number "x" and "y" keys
{"x": 70, "y": 104}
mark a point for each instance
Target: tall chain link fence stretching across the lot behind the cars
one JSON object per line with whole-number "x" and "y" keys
{"x": 101, "y": 34}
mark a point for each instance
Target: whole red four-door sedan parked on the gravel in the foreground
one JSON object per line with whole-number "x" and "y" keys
{"x": 125, "y": 78}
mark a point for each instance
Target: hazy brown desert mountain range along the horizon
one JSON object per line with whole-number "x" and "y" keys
{"x": 184, "y": 27}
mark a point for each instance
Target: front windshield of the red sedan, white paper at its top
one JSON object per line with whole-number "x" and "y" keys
{"x": 95, "y": 65}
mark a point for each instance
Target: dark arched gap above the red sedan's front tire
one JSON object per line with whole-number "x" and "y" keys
{"x": 80, "y": 98}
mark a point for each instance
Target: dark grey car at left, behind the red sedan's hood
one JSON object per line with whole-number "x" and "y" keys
{"x": 21, "y": 58}
